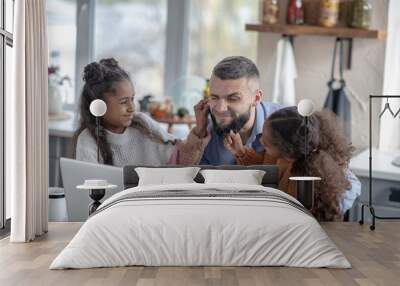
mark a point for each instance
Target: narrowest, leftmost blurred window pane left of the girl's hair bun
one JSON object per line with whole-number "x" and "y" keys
{"x": 61, "y": 23}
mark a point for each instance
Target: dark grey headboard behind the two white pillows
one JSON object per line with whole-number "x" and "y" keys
{"x": 270, "y": 179}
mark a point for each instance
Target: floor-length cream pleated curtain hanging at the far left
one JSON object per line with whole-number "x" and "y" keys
{"x": 26, "y": 124}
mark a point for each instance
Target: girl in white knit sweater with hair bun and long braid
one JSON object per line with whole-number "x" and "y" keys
{"x": 126, "y": 137}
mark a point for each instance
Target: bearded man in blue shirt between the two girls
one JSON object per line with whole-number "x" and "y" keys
{"x": 236, "y": 105}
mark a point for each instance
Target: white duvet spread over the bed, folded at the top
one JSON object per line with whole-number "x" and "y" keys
{"x": 183, "y": 231}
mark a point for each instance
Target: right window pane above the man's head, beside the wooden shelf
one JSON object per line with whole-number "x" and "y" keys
{"x": 217, "y": 31}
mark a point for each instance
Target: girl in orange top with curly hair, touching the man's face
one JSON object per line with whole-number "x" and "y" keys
{"x": 329, "y": 153}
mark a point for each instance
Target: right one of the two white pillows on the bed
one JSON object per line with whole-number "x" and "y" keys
{"x": 249, "y": 177}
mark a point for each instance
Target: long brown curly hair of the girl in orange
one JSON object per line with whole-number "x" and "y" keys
{"x": 328, "y": 154}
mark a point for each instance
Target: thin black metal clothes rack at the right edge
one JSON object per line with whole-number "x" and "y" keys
{"x": 370, "y": 205}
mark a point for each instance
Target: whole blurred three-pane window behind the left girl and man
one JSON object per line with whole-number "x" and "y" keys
{"x": 134, "y": 32}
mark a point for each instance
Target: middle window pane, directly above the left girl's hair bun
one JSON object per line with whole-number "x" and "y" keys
{"x": 139, "y": 41}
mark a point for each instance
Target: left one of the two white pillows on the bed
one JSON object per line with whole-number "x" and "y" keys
{"x": 164, "y": 176}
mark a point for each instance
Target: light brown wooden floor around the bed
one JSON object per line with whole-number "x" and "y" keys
{"x": 374, "y": 255}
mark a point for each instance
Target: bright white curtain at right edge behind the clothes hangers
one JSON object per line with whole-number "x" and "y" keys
{"x": 390, "y": 127}
